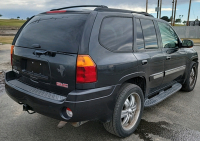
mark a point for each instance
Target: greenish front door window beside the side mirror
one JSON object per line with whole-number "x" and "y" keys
{"x": 169, "y": 37}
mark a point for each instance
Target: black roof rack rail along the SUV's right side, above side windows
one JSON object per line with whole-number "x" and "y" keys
{"x": 121, "y": 10}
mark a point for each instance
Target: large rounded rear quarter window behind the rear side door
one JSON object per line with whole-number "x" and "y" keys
{"x": 117, "y": 34}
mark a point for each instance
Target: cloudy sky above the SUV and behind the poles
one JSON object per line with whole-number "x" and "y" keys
{"x": 28, "y": 8}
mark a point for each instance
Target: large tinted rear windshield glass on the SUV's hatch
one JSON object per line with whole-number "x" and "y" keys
{"x": 60, "y": 32}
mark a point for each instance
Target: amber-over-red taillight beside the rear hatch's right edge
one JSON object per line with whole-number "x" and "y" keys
{"x": 86, "y": 71}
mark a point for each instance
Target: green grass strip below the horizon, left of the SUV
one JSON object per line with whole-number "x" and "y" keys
{"x": 11, "y": 23}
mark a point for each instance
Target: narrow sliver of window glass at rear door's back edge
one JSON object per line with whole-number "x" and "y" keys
{"x": 140, "y": 37}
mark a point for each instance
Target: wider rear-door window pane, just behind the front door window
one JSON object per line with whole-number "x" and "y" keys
{"x": 149, "y": 34}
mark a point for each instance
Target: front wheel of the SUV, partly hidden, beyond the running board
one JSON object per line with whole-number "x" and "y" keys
{"x": 191, "y": 79}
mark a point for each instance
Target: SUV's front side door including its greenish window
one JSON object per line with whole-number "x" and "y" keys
{"x": 175, "y": 57}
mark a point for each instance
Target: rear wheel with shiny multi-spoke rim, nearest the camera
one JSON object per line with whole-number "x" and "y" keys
{"x": 131, "y": 108}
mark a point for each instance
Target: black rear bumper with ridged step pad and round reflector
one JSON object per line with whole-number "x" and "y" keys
{"x": 93, "y": 104}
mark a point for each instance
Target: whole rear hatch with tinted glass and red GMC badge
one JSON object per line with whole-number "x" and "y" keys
{"x": 46, "y": 50}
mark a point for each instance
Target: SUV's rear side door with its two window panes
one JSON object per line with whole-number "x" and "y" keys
{"x": 150, "y": 56}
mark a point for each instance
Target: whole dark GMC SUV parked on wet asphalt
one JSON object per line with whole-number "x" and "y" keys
{"x": 103, "y": 64}
